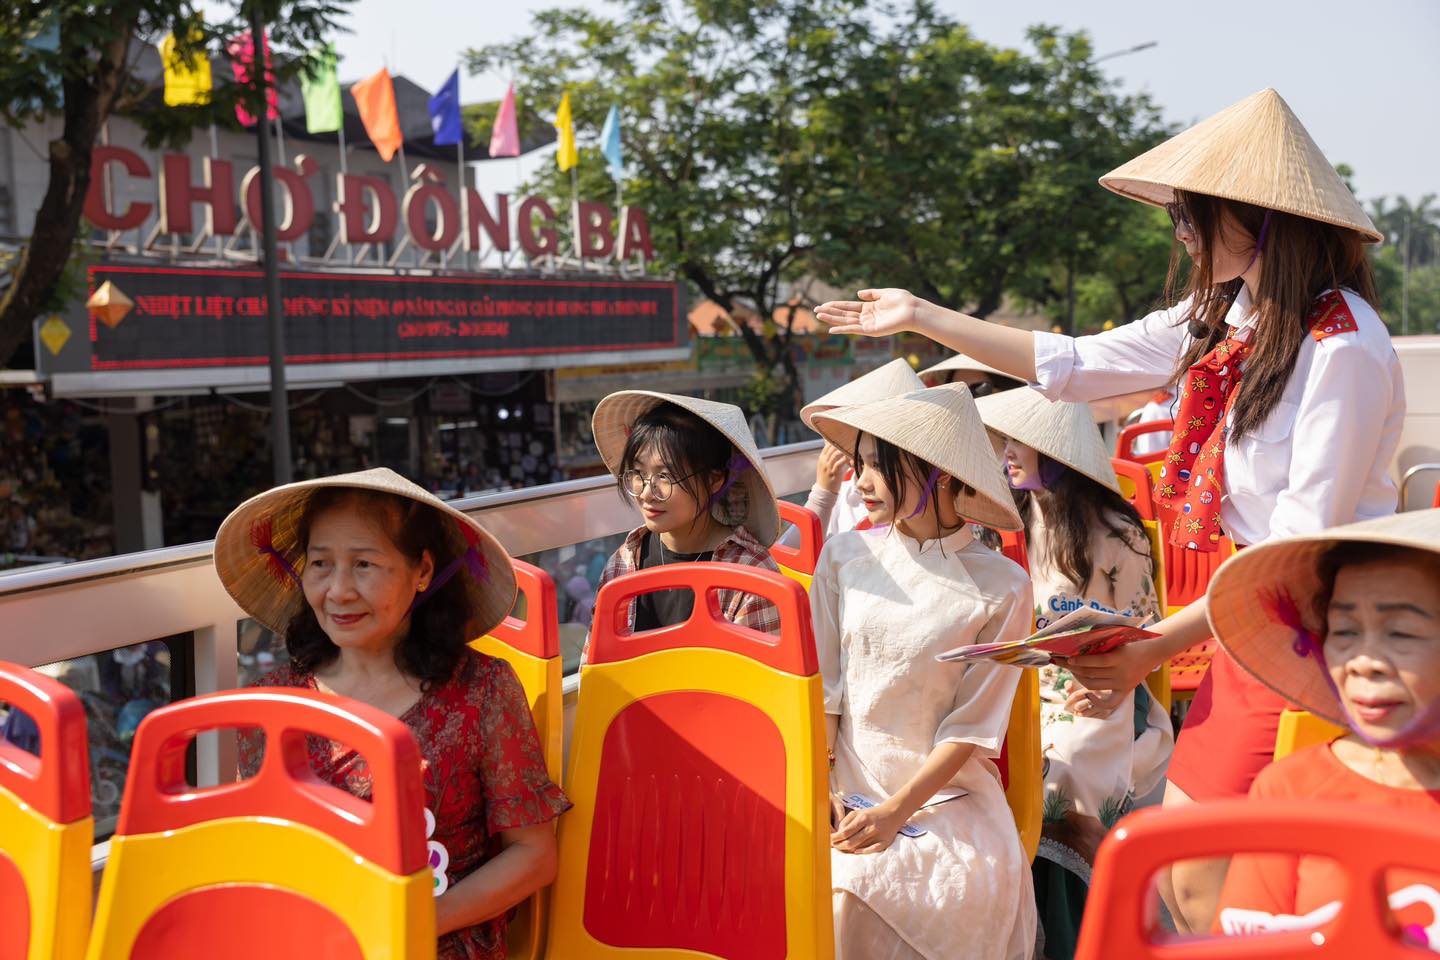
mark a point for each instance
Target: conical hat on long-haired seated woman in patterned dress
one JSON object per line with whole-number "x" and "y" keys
{"x": 1065, "y": 433}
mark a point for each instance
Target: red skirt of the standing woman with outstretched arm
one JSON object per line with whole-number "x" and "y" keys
{"x": 1229, "y": 733}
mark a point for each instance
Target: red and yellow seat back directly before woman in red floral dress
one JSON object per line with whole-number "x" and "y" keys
{"x": 282, "y": 866}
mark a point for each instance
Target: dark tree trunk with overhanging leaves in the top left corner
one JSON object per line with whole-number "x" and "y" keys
{"x": 76, "y": 60}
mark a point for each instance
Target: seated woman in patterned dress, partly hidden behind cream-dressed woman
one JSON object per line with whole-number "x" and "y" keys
{"x": 1088, "y": 548}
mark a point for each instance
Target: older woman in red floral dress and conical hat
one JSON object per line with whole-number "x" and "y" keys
{"x": 378, "y": 588}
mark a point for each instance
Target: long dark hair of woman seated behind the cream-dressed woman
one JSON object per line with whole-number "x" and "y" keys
{"x": 1074, "y": 506}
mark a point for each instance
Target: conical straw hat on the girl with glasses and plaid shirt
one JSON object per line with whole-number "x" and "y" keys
{"x": 617, "y": 414}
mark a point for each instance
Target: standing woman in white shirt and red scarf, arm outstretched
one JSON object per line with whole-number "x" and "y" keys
{"x": 1291, "y": 395}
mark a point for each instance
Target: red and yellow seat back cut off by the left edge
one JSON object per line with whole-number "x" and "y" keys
{"x": 45, "y": 821}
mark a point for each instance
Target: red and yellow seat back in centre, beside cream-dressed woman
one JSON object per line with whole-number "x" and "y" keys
{"x": 698, "y": 772}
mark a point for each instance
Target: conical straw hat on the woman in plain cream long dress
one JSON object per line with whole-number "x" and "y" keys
{"x": 941, "y": 427}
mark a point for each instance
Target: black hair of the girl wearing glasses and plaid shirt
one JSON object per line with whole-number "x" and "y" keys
{"x": 688, "y": 445}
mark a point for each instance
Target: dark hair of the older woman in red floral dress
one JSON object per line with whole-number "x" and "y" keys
{"x": 437, "y": 640}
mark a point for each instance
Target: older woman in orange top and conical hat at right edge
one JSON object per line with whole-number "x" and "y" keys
{"x": 1347, "y": 625}
